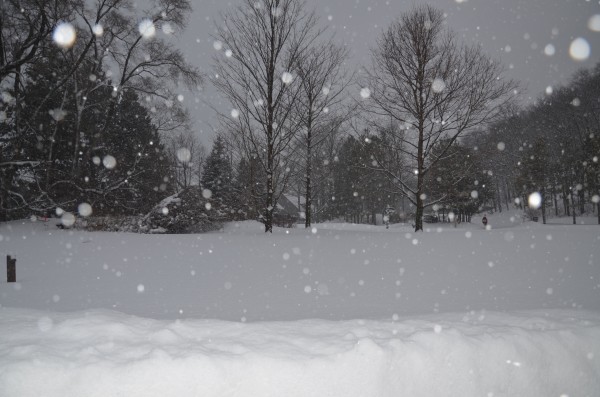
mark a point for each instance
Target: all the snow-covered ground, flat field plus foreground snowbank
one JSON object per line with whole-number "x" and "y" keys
{"x": 340, "y": 310}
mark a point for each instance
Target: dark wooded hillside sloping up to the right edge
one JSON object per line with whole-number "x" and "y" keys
{"x": 550, "y": 149}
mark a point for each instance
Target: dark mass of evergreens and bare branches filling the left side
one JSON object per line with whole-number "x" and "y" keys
{"x": 61, "y": 115}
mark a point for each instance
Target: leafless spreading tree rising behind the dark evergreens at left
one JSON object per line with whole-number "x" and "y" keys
{"x": 147, "y": 64}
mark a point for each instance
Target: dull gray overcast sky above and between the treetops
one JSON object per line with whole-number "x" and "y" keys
{"x": 531, "y": 37}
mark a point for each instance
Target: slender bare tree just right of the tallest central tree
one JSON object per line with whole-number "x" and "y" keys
{"x": 323, "y": 81}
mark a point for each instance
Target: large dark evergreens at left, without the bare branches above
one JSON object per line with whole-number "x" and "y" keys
{"x": 73, "y": 160}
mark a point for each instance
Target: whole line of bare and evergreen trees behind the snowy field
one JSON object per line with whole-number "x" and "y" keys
{"x": 431, "y": 123}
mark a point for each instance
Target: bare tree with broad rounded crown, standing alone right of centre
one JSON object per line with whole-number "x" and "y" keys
{"x": 434, "y": 87}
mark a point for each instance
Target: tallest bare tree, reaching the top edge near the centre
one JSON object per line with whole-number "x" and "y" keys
{"x": 263, "y": 41}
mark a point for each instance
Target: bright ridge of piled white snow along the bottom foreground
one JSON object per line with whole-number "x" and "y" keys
{"x": 102, "y": 353}
